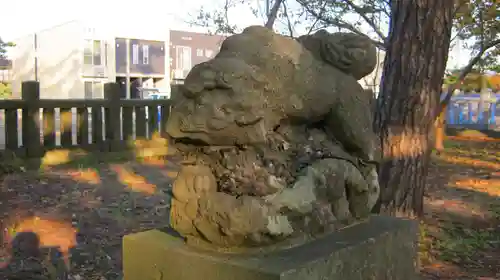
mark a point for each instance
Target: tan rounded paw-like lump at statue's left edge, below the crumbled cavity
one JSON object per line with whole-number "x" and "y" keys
{"x": 192, "y": 181}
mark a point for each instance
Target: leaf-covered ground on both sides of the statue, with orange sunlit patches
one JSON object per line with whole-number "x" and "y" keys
{"x": 83, "y": 211}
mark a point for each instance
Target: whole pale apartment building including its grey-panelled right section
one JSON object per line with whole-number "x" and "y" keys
{"x": 75, "y": 59}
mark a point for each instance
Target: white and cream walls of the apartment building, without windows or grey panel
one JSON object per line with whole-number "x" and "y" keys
{"x": 61, "y": 71}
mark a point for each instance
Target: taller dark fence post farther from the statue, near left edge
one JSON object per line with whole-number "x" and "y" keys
{"x": 30, "y": 93}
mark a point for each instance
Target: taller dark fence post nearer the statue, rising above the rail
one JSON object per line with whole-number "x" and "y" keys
{"x": 112, "y": 115}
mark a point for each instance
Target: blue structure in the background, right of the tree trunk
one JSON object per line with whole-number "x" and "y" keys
{"x": 467, "y": 110}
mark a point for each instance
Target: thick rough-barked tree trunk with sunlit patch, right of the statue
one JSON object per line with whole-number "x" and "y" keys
{"x": 416, "y": 55}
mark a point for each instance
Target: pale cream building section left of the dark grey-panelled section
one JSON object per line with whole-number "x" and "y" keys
{"x": 65, "y": 59}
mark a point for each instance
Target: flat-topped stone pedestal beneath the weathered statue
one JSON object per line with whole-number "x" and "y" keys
{"x": 382, "y": 248}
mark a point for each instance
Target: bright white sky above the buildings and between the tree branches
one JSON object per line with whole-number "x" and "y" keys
{"x": 22, "y": 17}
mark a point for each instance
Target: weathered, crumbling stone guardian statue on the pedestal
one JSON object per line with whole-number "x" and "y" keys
{"x": 277, "y": 140}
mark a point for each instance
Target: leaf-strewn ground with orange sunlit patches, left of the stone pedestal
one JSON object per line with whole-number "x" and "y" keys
{"x": 83, "y": 210}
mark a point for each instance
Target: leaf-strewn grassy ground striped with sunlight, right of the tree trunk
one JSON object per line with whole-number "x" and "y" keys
{"x": 461, "y": 227}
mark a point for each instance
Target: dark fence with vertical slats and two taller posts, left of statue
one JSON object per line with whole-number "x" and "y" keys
{"x": 33, "y": 125}
